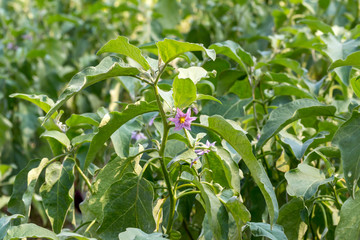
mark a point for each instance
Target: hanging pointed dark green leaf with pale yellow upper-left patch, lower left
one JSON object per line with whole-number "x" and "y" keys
{"x": 55, "y": 192}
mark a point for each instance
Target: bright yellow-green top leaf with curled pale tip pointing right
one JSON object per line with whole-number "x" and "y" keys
{"x": 169, "y": 49}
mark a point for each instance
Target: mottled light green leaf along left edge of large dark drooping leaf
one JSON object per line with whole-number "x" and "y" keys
{"x": 112, "y": 172}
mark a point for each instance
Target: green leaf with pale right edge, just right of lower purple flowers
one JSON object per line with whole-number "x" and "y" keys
{"x": 224, "y": 170}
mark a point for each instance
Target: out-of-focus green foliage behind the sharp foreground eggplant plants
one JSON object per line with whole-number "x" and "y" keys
{"x": 44, "y": 43}
